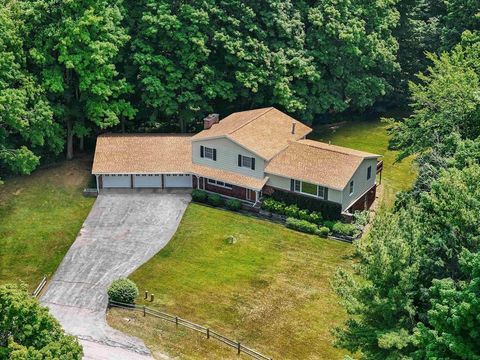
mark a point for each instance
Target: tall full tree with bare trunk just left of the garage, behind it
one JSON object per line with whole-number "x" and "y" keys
{"x": 73, "y": 48}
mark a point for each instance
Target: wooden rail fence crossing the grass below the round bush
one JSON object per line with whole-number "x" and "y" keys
{"x": 210, "y": 334}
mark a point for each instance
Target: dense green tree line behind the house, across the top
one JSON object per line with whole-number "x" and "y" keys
{"x": 72, "y": 69}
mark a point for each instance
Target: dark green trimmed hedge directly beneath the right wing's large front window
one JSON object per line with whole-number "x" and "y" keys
{"x": 329, "y": 210}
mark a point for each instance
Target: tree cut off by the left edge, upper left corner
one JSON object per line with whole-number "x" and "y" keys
{"x": 26, "y": 119}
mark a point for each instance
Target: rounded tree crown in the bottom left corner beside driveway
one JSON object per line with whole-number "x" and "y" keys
{"x": 28, "y": 331}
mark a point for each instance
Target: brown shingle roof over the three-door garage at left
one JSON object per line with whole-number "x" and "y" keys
{"x": 142, "y": 153}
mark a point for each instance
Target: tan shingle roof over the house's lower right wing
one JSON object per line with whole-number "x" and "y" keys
{"x": 313, "y": 161}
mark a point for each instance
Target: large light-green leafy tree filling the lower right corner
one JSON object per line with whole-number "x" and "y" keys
{"x": 391, "y": 298}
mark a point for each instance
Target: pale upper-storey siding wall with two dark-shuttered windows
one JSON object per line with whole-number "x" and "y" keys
{"x": 227, "y": 157}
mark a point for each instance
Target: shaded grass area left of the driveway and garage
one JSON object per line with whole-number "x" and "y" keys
{"x": 40, "y": 216}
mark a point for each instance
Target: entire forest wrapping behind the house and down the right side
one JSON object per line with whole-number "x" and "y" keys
{"x": 70, "y": 70}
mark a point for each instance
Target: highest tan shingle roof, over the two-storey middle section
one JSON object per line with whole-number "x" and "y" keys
{"x": 265, "y": 131}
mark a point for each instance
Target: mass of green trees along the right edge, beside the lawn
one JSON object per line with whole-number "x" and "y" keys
{"x": 415, "y": 291}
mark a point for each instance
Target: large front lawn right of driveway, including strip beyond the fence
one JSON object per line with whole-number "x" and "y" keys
{"x": 270, "y": 290}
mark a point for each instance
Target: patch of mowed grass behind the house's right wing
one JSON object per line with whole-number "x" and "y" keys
{"x": 371, "y": 136}
